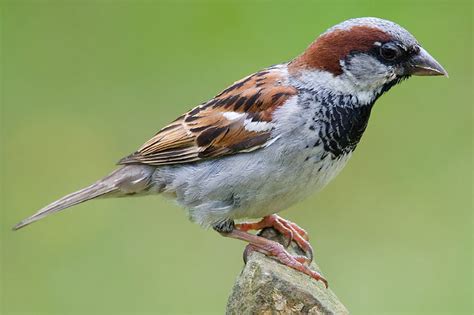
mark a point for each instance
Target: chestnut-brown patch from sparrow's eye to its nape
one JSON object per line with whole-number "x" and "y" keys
{"x": 326, "y": 51}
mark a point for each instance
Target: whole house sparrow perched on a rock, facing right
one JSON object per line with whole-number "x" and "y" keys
{"x": 270, "y": 139}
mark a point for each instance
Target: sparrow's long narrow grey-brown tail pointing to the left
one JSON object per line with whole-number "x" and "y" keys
{"x": 130, "y": 179}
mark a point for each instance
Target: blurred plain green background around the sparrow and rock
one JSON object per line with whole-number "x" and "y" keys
{"x": 84, "y": 83}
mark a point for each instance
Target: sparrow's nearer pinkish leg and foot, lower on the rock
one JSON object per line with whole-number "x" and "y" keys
{"x": 269, "y": 248}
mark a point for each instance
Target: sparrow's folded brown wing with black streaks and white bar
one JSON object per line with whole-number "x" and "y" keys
{"x": 239, "y": 119}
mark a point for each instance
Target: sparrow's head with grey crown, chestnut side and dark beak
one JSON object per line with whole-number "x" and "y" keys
{"x": 366, "y": 54}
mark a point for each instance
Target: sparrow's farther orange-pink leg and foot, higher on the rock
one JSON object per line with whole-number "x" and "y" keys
{"x": 289, "y": 229}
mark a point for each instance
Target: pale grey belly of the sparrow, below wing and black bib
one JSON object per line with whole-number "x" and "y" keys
{"x": 247, "y": 185}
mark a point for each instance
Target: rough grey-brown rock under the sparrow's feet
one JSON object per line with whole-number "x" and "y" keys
{"x": 267, "y": 287}
